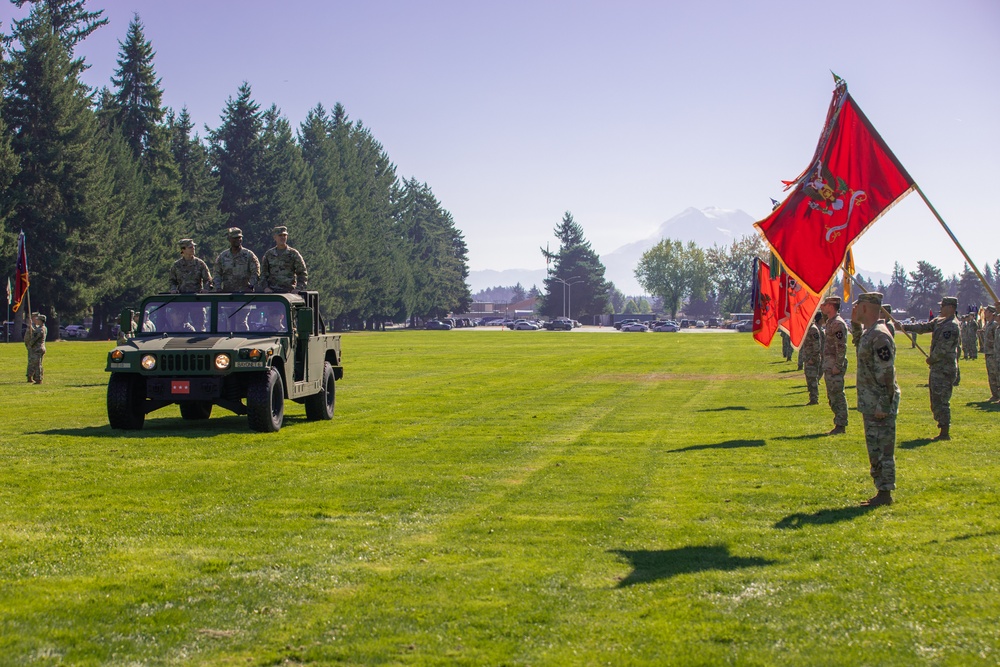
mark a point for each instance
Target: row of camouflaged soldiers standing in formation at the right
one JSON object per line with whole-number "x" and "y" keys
{"x": 824, "y": 354}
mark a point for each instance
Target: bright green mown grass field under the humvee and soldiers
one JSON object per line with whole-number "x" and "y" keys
{"x": 499, "y": 498}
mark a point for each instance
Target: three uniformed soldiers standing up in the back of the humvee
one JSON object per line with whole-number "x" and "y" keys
{"x": 237, "y": 269}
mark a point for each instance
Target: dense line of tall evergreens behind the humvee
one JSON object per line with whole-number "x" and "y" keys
{"x": 104, "y": 183}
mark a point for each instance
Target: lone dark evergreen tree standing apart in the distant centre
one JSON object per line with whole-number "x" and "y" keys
{"x": 574, "y": 261}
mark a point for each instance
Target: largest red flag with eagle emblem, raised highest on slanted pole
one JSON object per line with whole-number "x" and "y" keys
{"x": 852, "y": 180}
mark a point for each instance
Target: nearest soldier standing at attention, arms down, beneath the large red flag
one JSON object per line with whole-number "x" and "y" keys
{"x": 878, "y": 396}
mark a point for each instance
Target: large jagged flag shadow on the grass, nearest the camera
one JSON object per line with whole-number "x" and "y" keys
{"x": 650, "y": 566}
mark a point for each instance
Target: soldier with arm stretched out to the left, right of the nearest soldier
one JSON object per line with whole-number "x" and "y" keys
{"x": 943, "y": 360}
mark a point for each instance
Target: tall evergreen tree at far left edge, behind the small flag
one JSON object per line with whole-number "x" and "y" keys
{"x": 61, "y": 197}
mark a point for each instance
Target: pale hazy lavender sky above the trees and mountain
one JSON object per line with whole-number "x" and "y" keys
{"x": 624, "y": 113}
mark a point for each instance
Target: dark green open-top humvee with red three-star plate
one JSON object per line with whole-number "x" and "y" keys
{"x": 200, "y": 350}
